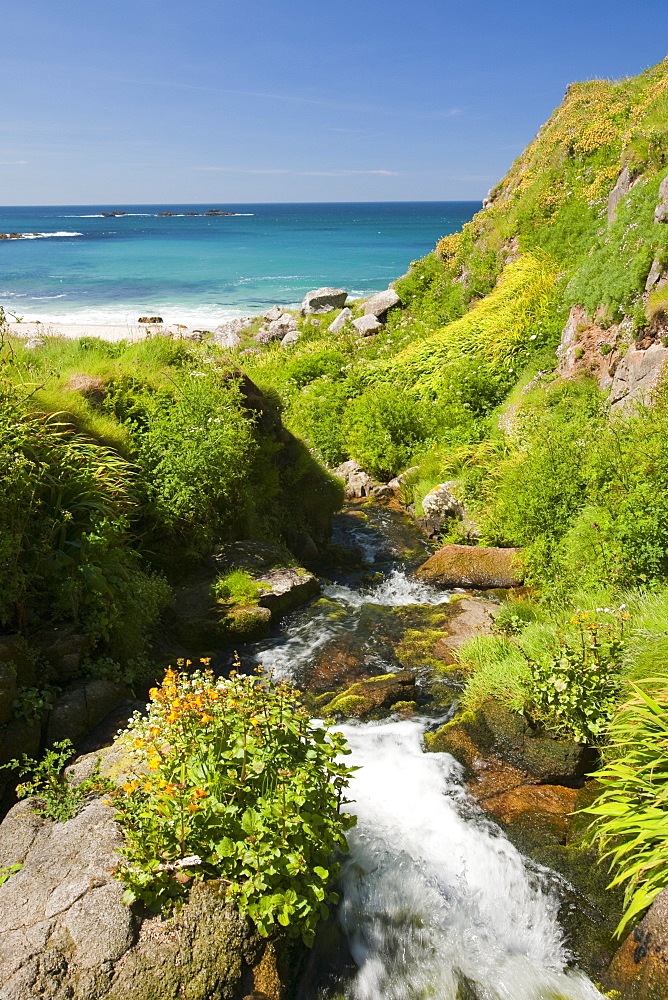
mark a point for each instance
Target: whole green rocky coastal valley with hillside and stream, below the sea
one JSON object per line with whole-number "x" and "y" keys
{"x": 498, "y": 422}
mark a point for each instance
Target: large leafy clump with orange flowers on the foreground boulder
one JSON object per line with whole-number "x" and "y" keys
{"x": 231, "y": 781}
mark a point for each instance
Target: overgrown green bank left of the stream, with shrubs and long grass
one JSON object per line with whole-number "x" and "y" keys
{"x": 121, "y": 466}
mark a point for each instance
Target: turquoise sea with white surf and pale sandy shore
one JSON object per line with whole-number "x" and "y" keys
{"x": 80, "y": 267}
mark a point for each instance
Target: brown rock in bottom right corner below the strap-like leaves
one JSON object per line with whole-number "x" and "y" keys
{"x": 639, "y": 969}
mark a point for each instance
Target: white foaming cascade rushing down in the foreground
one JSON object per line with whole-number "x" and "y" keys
{"x": 433, "y": 895}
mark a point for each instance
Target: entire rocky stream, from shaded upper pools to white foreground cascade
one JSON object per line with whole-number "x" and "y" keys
{"x": 435, "y": 901}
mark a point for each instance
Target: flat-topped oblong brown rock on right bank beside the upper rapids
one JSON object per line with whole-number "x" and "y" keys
{"x": 473, "y": 566}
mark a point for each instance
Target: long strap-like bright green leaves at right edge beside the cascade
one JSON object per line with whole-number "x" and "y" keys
{"x": 630, "y": 816}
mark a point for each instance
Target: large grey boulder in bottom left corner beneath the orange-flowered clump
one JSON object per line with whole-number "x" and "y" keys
{"x": 65, "y": 931}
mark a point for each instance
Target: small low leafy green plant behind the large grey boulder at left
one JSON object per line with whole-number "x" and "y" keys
{"x": 57, "y": 797}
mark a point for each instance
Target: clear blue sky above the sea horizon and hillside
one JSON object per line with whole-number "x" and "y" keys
{"x": 197, "y": 101}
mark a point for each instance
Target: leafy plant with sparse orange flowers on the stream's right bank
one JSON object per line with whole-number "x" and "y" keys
{"x": 575, "y": 692}
